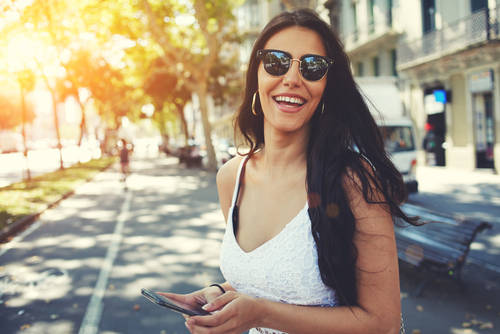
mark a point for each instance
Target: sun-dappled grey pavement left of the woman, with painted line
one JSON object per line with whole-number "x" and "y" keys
{"x": 82, "y": 266}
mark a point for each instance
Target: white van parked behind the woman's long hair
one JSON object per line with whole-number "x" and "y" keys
{"x": 397, "y": 129}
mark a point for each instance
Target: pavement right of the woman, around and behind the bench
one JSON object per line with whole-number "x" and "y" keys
{"x": 442, "y": 308}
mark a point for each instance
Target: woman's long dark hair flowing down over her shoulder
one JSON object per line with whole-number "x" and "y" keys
{"x": 345, "y": 142}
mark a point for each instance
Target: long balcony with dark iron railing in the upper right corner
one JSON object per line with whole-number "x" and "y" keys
{"x": 475, "y": 29}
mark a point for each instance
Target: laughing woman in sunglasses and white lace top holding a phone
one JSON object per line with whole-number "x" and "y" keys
{"x": 310, "y": 209}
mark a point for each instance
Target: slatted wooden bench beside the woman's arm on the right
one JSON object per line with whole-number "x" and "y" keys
{"x": 439, "y": 247}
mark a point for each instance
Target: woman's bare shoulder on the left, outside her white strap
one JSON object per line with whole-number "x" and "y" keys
{"x": 226, "y": 181}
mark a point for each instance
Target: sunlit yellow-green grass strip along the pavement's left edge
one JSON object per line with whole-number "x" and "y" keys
{"x": 28, "y": 197}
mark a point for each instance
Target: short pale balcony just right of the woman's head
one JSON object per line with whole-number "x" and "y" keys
{"x": 378, "y": 31}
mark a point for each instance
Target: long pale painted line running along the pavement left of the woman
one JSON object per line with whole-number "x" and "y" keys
{"x": 92, "y": 318}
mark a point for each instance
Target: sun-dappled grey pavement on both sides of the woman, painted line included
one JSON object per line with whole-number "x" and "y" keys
{"x": 80, "y": 268}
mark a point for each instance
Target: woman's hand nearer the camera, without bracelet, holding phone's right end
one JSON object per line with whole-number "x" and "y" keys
{"x": 234, "y": 313}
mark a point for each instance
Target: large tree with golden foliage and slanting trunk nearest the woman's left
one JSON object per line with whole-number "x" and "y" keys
{"x": 187, "y": 36}
